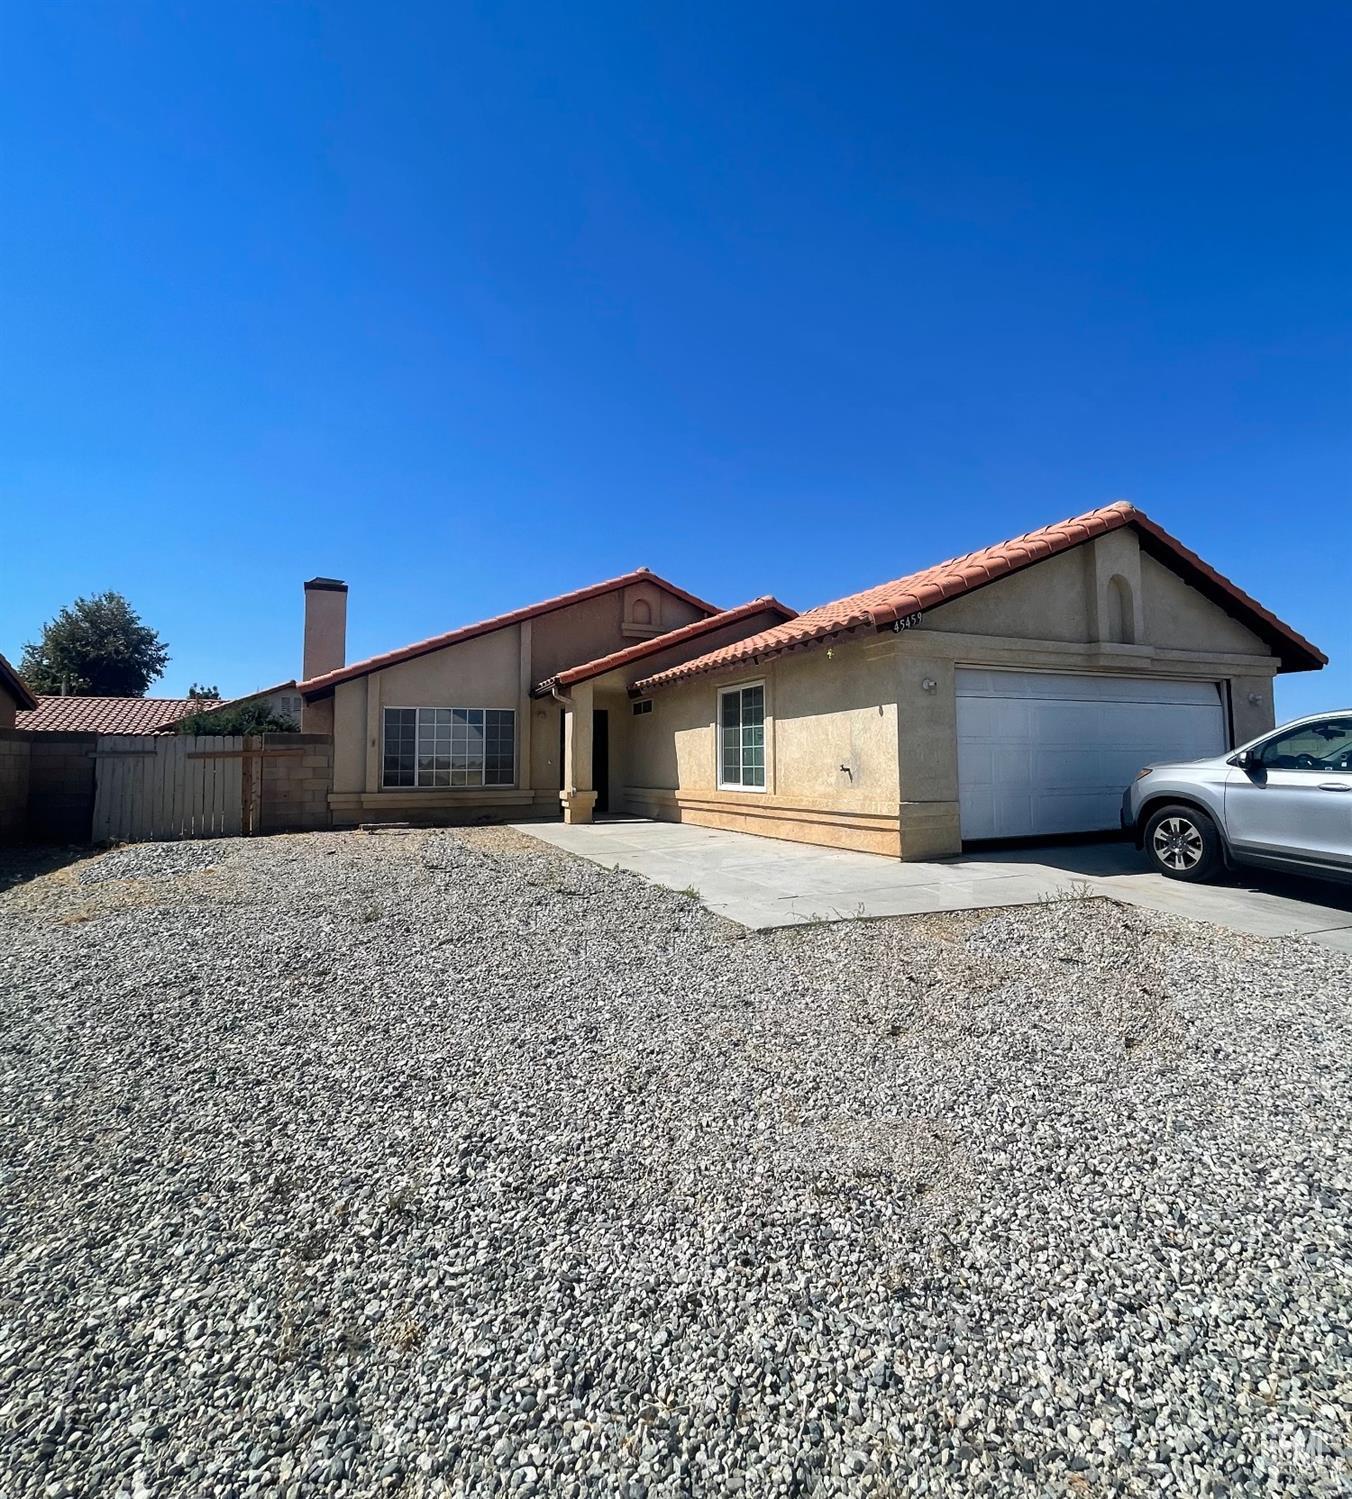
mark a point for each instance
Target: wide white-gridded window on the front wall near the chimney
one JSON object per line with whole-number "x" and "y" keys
{"x": 450, "y": 747}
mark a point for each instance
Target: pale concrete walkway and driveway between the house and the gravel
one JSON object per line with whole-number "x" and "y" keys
{"x": 764, "y": 882}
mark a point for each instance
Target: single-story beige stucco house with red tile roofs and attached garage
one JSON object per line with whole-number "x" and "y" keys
{"x": 1014, "y": 692}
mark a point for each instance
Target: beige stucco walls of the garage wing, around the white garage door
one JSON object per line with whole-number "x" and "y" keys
{"x": 887, "y": 704}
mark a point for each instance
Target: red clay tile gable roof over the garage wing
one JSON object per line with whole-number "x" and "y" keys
{"x": 878, "y": 608}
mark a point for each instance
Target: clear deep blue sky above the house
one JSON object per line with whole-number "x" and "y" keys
{"x": 470, "y": 305}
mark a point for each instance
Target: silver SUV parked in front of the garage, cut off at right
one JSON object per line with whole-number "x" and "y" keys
{"x": 1282, "y": 803}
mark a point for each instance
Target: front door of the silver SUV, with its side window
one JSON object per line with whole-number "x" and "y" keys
{"x": 1296, "y": 803}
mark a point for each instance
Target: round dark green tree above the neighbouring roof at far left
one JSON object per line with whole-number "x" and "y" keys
{"x": 95, "y": 648}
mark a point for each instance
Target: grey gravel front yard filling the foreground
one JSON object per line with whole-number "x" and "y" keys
{"x": 449, "y": 1165}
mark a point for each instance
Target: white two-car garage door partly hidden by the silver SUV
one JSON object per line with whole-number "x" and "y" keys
{"x": 1051, "y": 753}
